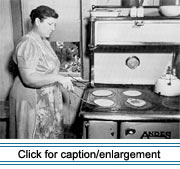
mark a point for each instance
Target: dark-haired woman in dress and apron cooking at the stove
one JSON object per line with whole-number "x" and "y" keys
{"x": 35, "y": 98}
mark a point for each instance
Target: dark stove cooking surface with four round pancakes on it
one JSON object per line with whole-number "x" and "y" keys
{"x": 128, "y": 102}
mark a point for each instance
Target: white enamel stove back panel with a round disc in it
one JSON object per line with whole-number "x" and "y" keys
{"x": 129, "y": 68}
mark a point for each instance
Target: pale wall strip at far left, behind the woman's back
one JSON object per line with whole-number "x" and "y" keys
{"x": 6, "y": 47}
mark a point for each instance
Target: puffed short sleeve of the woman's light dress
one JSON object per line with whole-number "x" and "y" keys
{"x": 27, "y": 54}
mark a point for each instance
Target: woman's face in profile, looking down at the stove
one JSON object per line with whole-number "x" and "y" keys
{"x": 46, "y": 26}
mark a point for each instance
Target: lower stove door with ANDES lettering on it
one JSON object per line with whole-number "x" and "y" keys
{"x": 149, "y": 130}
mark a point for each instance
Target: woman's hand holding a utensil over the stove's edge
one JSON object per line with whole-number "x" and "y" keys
{"x": 67, "y": 83}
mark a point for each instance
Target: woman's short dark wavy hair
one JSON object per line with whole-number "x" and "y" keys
{"x": 42, "y": 12}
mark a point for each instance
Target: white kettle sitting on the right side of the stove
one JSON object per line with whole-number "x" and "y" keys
{"x": 168, "y": 84}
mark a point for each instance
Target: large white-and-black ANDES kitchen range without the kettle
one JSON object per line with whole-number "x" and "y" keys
{"x": 128, "y": 55}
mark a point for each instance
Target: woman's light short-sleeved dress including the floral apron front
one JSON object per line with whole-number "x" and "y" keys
{"x": 36, "y": 113}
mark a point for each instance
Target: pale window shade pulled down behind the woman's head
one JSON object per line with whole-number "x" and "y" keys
{"x": 68, "y": 24}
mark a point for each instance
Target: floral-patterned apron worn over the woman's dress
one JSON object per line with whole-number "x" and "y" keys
{"x": 49, "y": 103}
